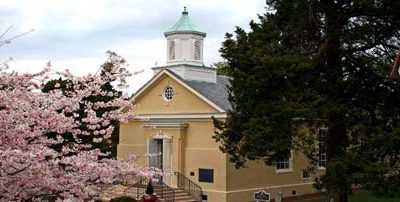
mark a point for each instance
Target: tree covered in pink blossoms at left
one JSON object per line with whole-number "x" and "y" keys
{"x": 29, "y": 168}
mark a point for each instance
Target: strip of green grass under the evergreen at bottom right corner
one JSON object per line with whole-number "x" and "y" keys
{"x": 364, "y": 197}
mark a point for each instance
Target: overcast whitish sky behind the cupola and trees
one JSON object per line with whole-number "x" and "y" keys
{"x": 75, "y": 34}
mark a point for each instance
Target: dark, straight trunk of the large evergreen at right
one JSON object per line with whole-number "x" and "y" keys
{"x": 336, "y": 140}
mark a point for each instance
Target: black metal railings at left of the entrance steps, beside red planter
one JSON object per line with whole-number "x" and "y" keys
{"x": 162, "y": 190}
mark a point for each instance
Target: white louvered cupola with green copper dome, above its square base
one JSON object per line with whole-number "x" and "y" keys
{"x": 184, "y": 42}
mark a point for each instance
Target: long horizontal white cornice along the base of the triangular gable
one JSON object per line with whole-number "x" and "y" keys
{"x": 182, "y": 116}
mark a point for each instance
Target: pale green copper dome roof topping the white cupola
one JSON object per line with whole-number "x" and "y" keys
{"x": 184, "y": 25}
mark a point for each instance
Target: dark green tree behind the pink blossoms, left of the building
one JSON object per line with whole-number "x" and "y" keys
{"x": 109, "y": 93}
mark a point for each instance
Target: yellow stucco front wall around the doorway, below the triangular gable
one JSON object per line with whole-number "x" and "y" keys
{"x": 200, "y": 151}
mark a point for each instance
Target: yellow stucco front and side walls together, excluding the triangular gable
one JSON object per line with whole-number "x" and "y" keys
{"x": 201, "y": 151}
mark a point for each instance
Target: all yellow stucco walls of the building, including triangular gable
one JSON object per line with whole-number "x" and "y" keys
{"x": 193, "y": 147}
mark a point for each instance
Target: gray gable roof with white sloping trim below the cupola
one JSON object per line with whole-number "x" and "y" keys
{"x": 215, "y": 94}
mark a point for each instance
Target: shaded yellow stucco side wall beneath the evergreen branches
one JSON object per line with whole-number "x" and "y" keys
{"x": 257, "y": 176}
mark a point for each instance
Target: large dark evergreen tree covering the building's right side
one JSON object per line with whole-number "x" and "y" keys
{"x": 318, "y": 63}
